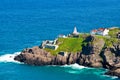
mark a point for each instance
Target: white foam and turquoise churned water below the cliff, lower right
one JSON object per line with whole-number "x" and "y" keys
{"x": 78, "y": 69}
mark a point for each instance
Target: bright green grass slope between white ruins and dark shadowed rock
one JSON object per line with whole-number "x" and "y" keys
{"x": 68, "y": 45}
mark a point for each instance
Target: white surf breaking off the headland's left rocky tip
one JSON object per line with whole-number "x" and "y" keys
{"x": 9, "y": 57}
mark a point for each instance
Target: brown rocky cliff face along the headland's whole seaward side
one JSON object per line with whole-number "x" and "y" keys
{"x": 93, "y": 54}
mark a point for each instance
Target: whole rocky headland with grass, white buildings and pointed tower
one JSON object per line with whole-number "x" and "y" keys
{"x": 99, "y": 49}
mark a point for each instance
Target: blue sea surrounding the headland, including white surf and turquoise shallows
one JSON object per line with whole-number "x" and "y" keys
{"x": 26, "y": 23}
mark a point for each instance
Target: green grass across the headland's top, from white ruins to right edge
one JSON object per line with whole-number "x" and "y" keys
{"x": 73, "y": 44}
